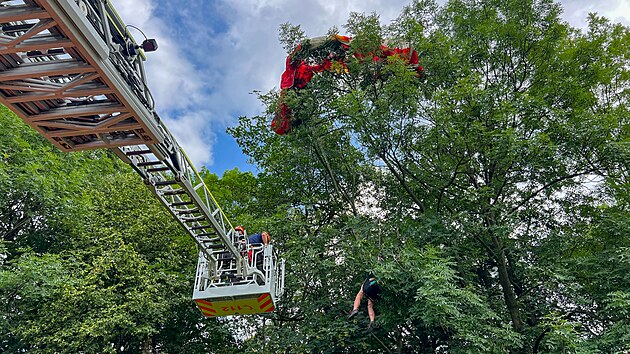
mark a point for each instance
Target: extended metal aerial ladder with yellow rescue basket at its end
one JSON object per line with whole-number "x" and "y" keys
{"x": 72, "y": 71}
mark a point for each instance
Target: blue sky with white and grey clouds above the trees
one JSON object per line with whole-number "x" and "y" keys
{"x": 214, "y": 53}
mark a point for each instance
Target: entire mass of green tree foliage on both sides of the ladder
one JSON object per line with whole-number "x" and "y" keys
{"x": 491, "y": 197}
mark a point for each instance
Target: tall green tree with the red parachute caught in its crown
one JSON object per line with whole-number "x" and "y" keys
{"x": 497, "y": 157}
